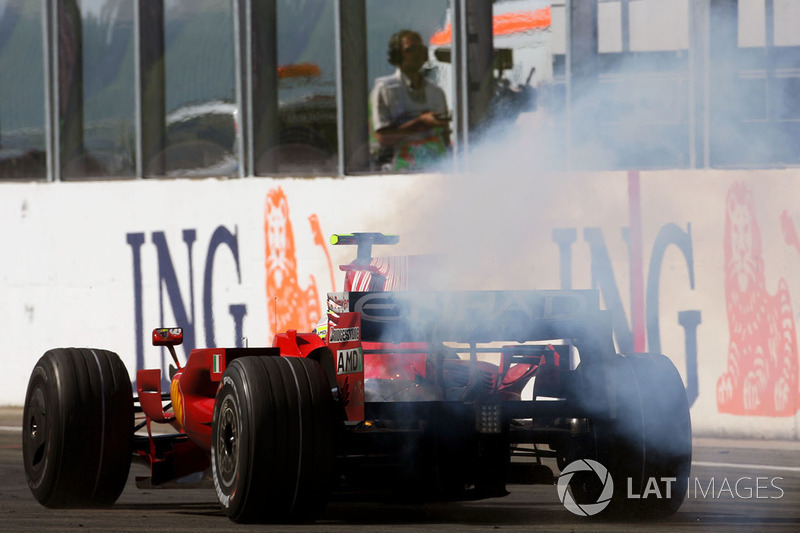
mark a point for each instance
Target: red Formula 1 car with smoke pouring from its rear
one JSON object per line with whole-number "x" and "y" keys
{"x": 410, "y": 392}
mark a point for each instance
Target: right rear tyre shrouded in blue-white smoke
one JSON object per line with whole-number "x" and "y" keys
{"x": 647, "y": 446}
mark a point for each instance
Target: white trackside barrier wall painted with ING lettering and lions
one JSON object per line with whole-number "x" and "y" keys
{"x": 701, "y": 265}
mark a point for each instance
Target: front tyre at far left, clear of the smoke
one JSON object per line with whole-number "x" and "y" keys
{"x": 78, "y": 428}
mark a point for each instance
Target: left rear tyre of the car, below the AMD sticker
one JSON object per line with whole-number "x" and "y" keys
{"x": 271, "y": 441}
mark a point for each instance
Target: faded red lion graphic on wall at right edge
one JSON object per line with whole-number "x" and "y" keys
{"x": 762, "y": 373}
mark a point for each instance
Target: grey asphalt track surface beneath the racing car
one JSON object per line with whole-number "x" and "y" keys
{"x": 734, "y": 486}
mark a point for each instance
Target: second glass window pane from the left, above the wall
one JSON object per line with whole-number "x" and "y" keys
{"x": 102, "y": 143}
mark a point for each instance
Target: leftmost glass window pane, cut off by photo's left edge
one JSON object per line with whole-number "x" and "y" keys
{"x": 22, "y": 115}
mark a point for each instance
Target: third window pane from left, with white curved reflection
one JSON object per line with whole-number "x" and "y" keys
{"x": 200, "y": 88}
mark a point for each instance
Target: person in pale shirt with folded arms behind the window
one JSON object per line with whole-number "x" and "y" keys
{"x": 409, "y": 113}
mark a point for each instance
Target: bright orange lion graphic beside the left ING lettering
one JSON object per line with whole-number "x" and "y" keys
{"x": 290, "y": 306}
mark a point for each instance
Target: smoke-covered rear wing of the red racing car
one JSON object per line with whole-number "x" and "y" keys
{"x": 479, "y": 316}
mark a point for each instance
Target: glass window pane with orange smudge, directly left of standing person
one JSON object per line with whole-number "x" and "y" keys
{"x": 307, "y": 136}
